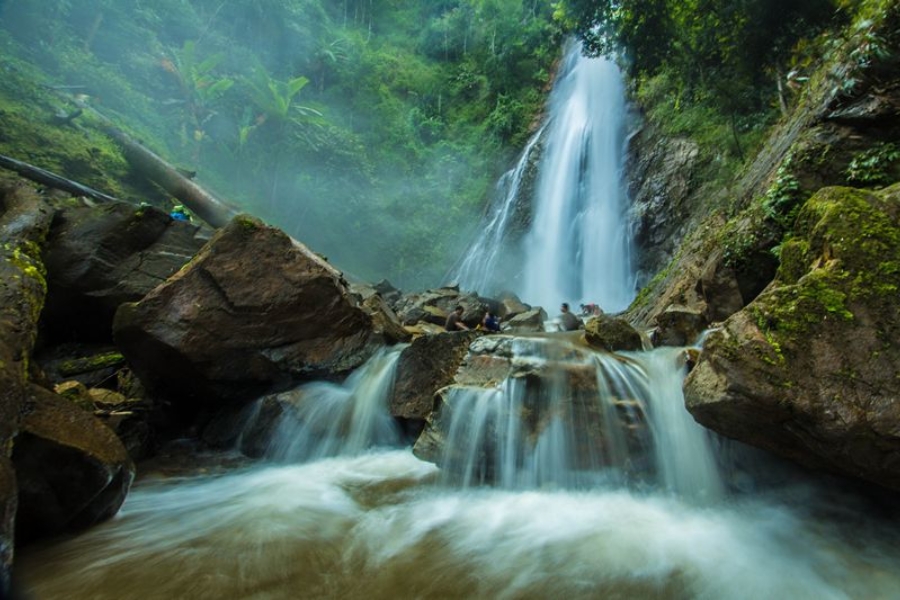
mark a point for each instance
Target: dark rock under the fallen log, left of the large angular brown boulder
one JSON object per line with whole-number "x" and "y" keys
{"x": 99, "y": 256}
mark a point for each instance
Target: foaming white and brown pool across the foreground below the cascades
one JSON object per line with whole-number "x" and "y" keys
{"x": 377, "y": 526}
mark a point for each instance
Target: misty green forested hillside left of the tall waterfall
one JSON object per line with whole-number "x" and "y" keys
{"x": 374, "y": 139}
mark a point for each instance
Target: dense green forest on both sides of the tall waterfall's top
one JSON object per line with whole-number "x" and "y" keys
{"x": 374, "y": 131}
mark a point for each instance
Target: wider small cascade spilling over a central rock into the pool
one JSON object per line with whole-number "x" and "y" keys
{"x": 567, "y": 417}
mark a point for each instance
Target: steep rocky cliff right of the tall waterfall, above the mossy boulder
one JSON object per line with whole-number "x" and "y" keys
{"x": 716, "y": 249}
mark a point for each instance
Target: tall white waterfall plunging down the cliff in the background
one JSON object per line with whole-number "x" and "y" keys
{"x": 578, "y": 246}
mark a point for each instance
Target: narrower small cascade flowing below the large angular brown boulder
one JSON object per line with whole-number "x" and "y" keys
{"x": 321, "y": 419}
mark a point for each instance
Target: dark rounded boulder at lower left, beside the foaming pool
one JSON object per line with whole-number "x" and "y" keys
{"x": 72, "y": 470}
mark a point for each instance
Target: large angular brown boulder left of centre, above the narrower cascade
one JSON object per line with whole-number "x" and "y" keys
{"x": 254, "y": 312}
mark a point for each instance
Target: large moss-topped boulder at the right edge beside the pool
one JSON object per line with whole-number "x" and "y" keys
{"x": 811, "y": 369}
